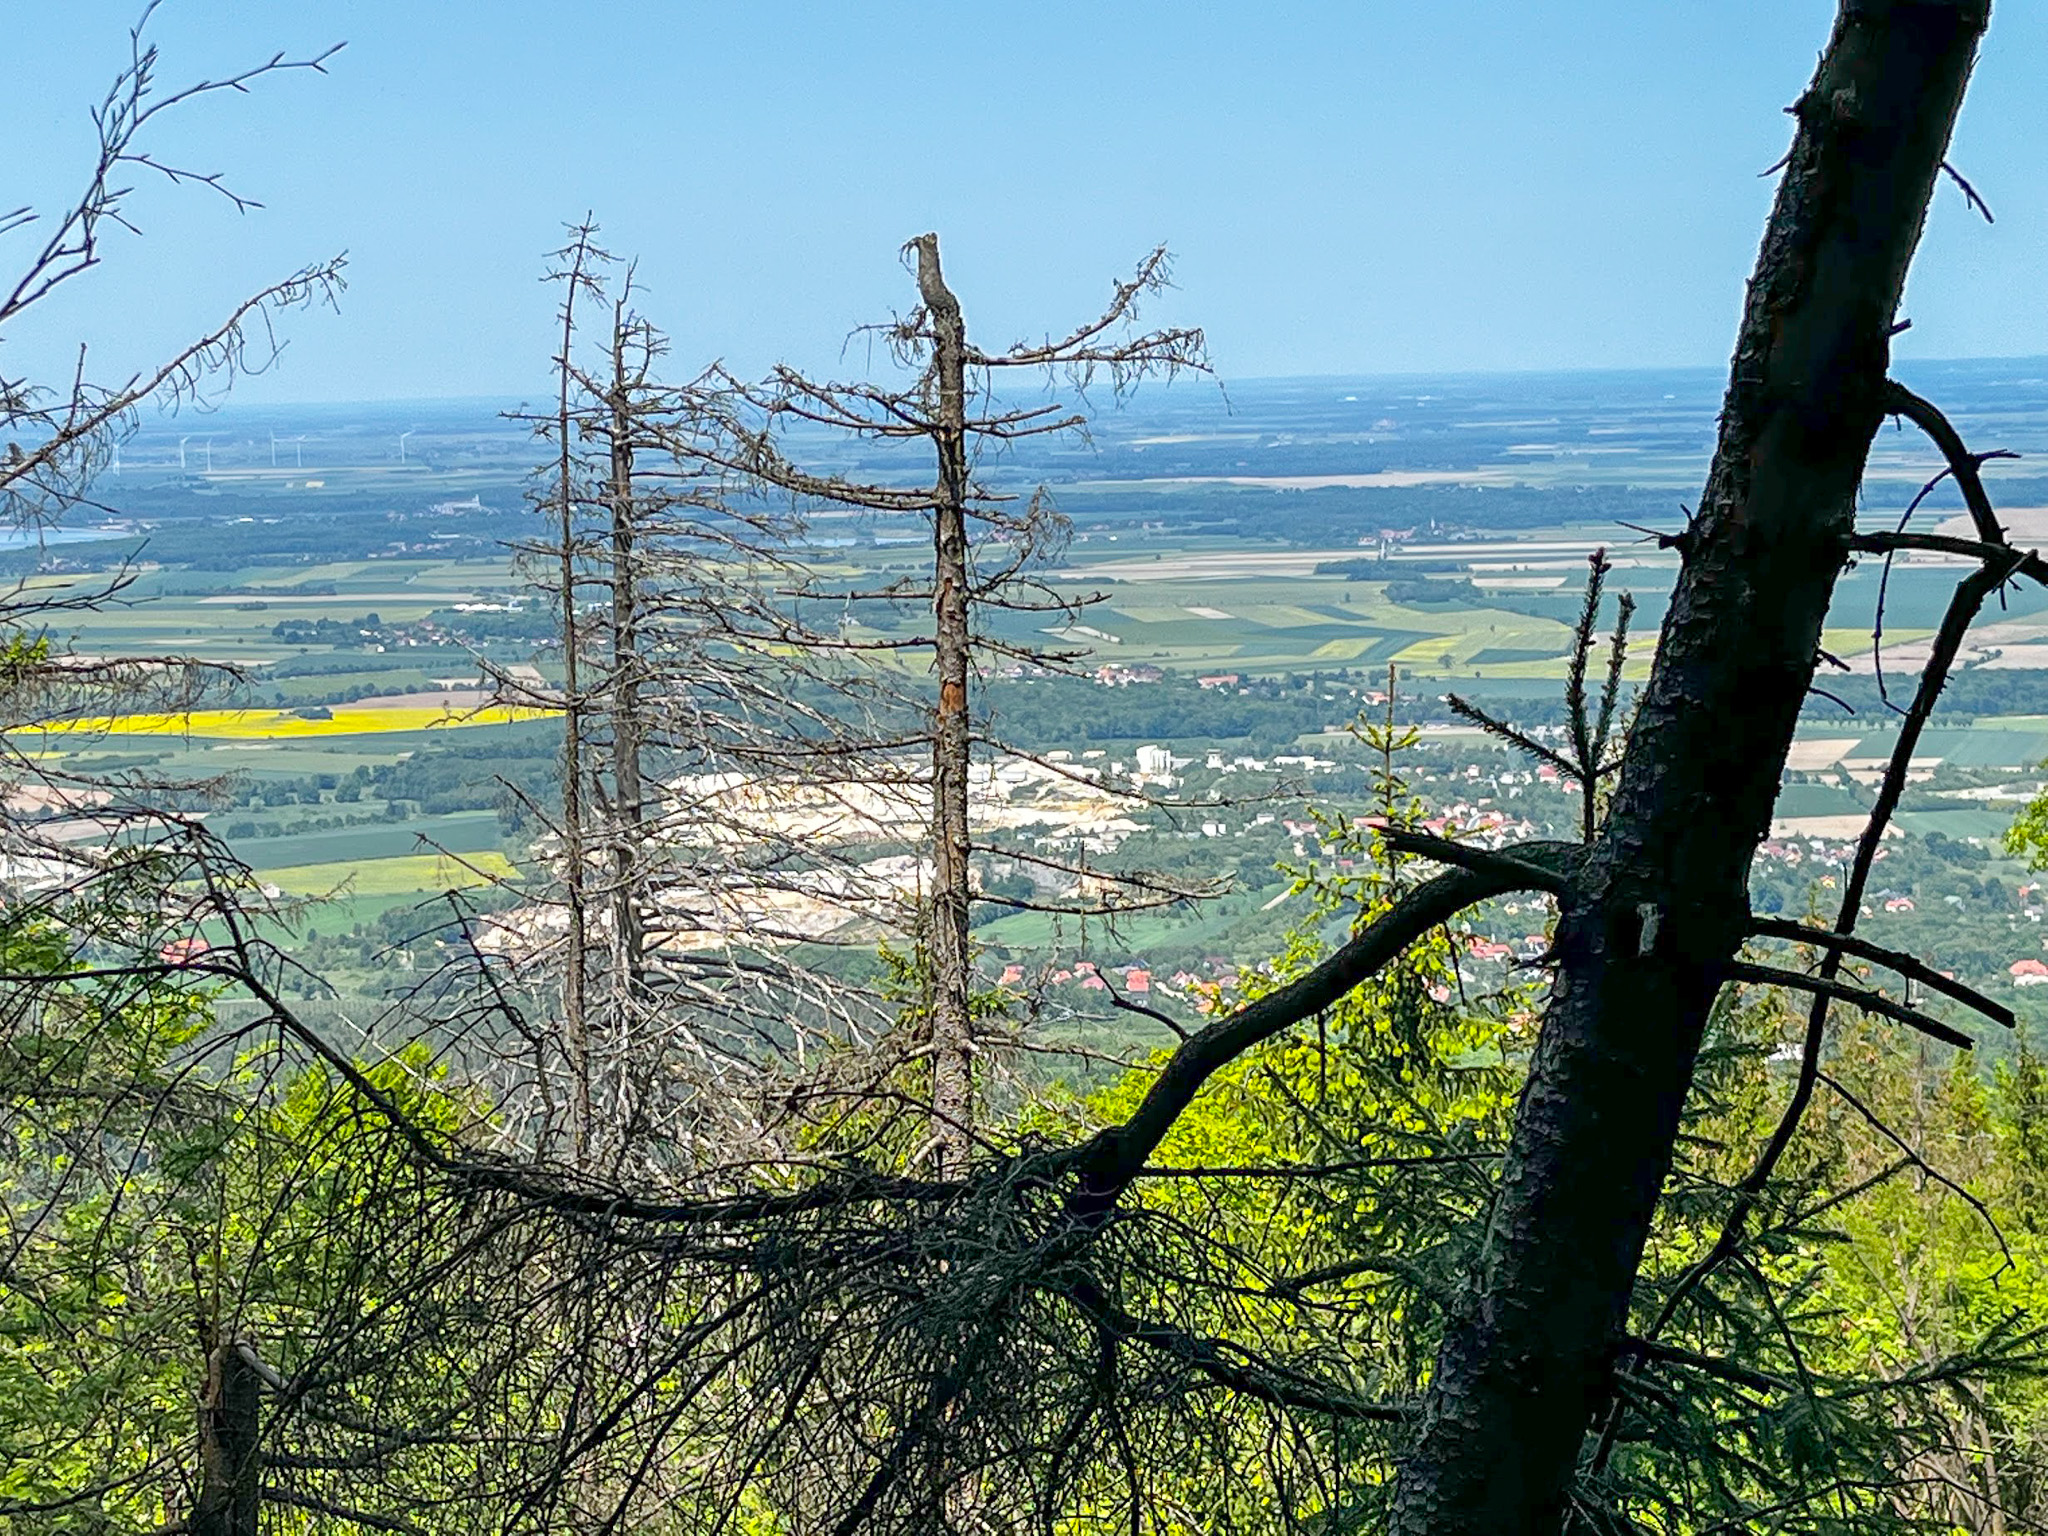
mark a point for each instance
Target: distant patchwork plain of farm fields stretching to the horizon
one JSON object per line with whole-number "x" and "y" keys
{"x": 1250, "y": 570}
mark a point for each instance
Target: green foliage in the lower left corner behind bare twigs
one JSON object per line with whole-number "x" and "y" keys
{"x": 169, "y": 1187}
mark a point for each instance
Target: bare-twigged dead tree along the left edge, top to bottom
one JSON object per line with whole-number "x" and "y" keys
{"x": 118, "y": 1113}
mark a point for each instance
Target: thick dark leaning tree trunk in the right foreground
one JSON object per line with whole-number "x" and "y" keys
{"x": 1662, "y": 904}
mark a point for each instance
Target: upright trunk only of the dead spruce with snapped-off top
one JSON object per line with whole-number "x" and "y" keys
{"x": 953, "y": 1064}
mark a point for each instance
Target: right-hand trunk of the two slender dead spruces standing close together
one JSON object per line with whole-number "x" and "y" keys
{"x": 630, "y": 810}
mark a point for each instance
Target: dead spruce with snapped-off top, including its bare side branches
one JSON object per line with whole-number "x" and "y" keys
{"x": 990, "y": 556}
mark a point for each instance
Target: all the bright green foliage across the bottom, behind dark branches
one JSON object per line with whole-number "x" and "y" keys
{"x": 1865, "y": 1361}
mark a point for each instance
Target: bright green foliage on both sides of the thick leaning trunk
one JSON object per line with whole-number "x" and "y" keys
{"x": 1865, "y": 1361}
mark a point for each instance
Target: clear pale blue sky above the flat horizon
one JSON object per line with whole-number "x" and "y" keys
{"x": 1361, "y": 187}
